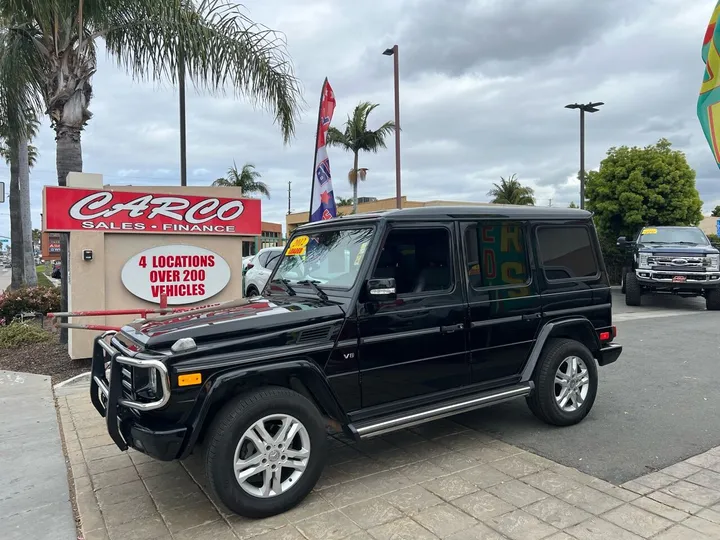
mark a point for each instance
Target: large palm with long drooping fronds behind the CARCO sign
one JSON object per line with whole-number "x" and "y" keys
{"x": 216, "y": 44}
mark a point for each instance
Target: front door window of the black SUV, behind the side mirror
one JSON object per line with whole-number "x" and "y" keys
{"x": 418, "y": 259}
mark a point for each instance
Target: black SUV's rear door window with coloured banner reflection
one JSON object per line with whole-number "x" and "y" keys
{"x": 495, "y": 254}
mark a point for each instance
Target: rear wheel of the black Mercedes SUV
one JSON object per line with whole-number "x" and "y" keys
{"x": 565, "y": 383}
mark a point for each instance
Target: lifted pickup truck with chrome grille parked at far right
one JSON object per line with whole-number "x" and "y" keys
{"x": 671, "y": 260}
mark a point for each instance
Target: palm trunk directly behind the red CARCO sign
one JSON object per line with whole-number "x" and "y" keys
{"x": 68, "y": 158}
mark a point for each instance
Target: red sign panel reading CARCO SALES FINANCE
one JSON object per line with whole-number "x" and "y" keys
{"x": 80, "y": 209}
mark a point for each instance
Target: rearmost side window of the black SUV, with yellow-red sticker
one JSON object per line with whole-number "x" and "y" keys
{"x": 566, "y": 252}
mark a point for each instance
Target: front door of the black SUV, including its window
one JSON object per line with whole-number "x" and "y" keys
{"x": 414, "y": 345}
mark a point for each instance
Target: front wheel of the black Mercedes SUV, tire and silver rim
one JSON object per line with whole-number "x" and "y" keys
{"x": 265, "y": 451}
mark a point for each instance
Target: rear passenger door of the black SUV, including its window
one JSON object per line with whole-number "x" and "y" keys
{"x": 504, "y": 302}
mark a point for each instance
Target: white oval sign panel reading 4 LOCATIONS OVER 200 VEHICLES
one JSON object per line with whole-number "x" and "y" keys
{"x": 186, "y": 274}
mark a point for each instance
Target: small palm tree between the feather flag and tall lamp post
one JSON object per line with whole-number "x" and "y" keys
{"x": 356, "y": 138}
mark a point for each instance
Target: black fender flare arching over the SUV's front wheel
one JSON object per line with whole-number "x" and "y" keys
{"x": 222, "y": 388}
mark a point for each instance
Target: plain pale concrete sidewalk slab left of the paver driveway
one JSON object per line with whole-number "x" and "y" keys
{"x": 34, "y": 495}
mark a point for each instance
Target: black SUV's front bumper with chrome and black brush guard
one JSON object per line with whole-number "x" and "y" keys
{"x": 122, "y": 414}
